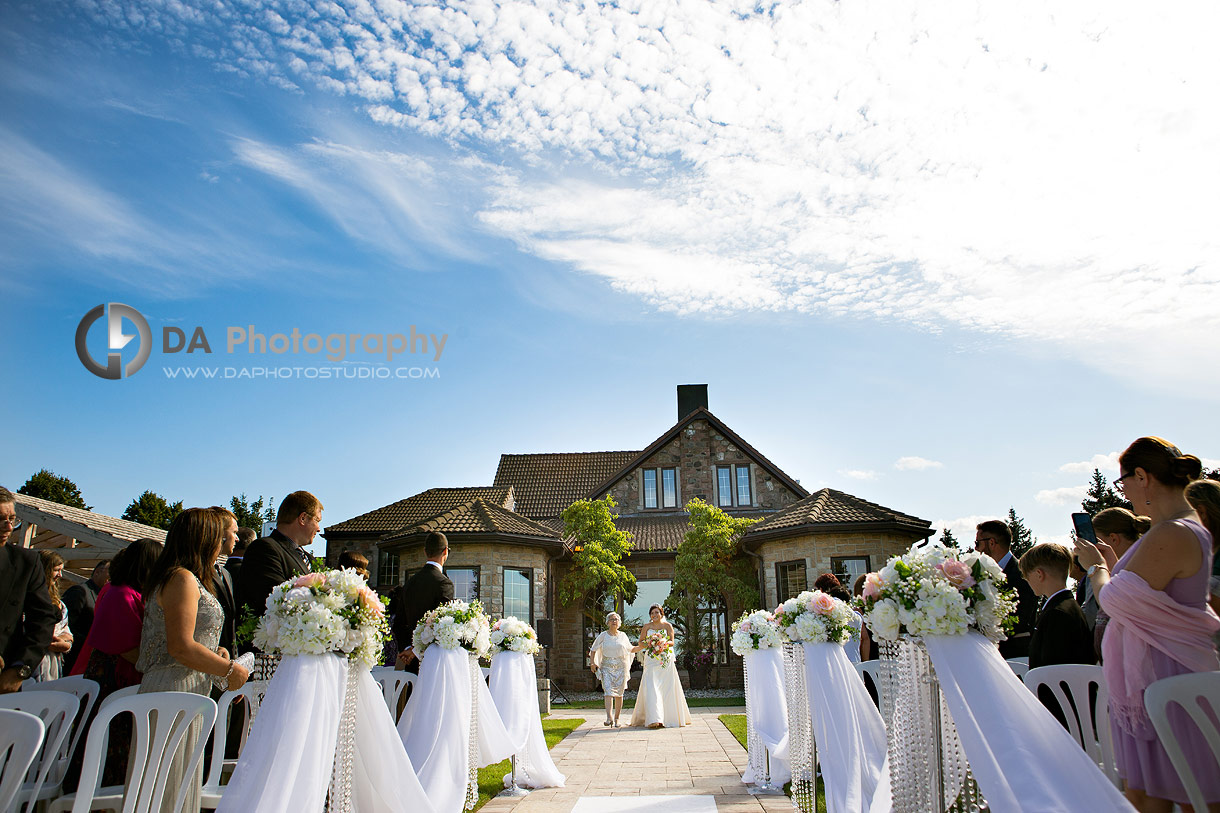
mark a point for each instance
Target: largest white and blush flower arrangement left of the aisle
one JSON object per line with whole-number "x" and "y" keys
{"x": 332, "y": 611}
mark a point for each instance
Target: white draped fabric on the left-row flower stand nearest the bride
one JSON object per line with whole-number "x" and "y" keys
{"x": 515, "y": 692}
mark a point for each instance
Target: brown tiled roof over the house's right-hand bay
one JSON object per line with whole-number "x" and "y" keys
{"x": 830, "y": 510}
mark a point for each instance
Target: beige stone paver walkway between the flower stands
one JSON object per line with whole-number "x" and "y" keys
{"x": 702, "y": 759}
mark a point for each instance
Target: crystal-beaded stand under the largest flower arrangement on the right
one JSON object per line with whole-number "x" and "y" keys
{"x": 928, "y": 766}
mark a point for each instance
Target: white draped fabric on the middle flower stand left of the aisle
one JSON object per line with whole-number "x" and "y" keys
{"x": 436, "y": 728}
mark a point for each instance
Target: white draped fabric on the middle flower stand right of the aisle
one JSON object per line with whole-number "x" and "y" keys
{"x": 850, "y": 735}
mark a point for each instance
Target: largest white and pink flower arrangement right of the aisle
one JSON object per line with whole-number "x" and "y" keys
{"x": 938, "y": 591}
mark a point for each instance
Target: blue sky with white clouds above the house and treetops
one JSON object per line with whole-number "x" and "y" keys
{"x": 946, "y": 262}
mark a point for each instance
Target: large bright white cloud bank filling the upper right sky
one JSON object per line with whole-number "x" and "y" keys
{"x": 934, "y": 167}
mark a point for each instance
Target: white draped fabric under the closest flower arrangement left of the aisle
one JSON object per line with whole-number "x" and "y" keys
{"x": 287, "y": 762}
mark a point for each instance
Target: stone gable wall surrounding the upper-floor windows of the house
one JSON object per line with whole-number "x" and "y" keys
{"x": 696, "y": 452}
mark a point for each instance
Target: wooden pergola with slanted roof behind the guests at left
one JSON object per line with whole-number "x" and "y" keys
{"x": 81, "y": 537}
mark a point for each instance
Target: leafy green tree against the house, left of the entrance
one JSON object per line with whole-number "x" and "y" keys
{"x": 598, "y": 551}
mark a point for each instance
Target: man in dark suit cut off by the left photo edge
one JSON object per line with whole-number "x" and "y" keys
{"x": 27, "y": 615}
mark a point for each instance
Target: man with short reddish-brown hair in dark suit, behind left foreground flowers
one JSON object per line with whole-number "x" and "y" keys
{"x": 282, "y": 556}
